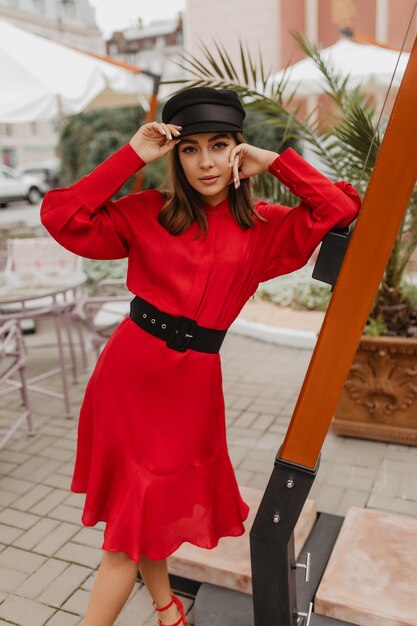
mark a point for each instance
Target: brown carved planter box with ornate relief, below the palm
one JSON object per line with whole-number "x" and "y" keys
{"x": 379, "y": 398}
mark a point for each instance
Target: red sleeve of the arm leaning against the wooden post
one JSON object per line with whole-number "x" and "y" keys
{"x": 291, "y": 235}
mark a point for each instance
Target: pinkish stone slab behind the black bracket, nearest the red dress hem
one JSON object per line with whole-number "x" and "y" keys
{"x": 228, "y": 564}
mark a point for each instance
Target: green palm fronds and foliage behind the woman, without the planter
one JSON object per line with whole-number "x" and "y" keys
{"x": 347, "y": 146}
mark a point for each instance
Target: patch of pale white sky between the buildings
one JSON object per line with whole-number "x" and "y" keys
{"x": 111, "y": 15}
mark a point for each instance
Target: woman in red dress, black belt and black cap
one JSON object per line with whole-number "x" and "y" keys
{"x": 152, "y": 455}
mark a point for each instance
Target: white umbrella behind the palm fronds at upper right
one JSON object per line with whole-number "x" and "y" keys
{"x": 369, "y": 66}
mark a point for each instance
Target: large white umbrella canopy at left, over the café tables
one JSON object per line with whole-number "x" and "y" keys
{"x": 41, "y": 79}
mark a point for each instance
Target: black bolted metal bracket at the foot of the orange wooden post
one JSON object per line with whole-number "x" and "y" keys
{"x": 272, "y": 545}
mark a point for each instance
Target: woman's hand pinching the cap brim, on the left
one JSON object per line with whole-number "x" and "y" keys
{"x": 154, "y": 140}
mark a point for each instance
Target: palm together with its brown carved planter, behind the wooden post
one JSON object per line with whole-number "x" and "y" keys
{"x": 379, "y": 399}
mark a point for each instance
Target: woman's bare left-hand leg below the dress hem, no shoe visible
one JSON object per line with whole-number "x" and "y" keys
{"x": 112, "y": 587}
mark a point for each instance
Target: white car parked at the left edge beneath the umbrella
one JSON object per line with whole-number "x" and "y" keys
{"x": 19, "y": 187}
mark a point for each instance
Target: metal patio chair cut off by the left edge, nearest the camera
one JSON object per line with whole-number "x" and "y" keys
{"x": 13, "y": 362}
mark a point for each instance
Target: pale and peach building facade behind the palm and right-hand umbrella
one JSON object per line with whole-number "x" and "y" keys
{"x": 266, "y": 26}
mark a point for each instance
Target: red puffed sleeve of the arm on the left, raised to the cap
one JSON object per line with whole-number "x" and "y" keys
{"x": 82, "y": 217}
